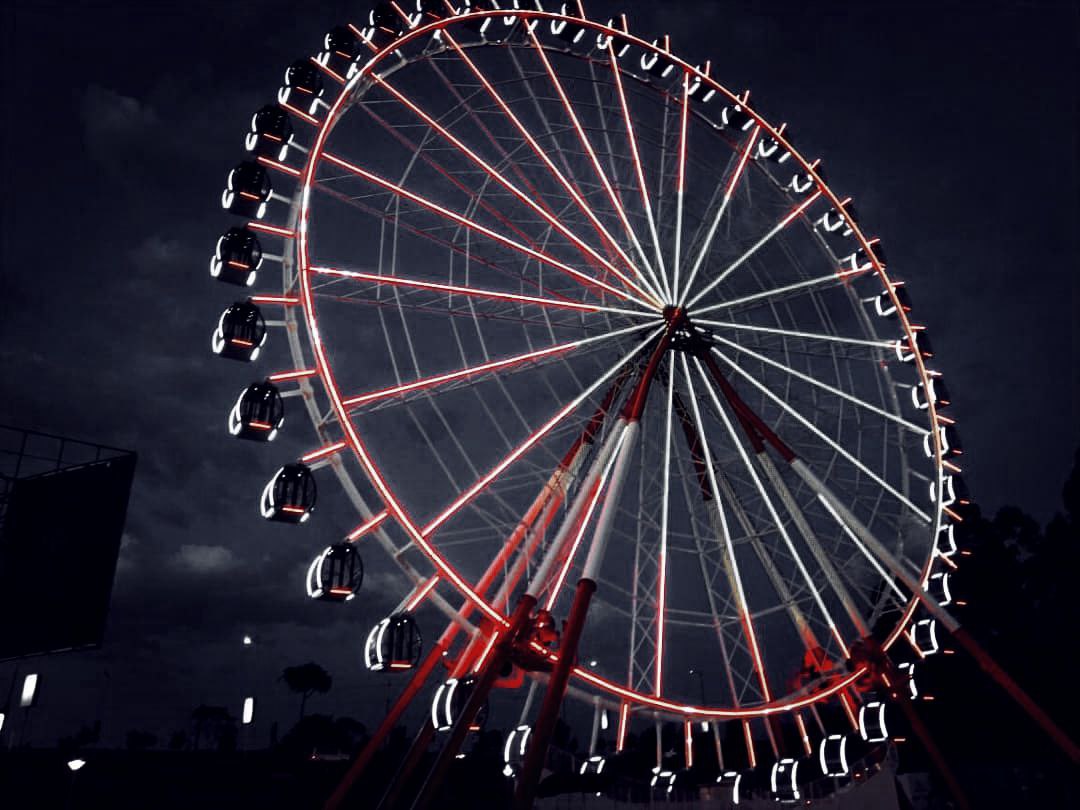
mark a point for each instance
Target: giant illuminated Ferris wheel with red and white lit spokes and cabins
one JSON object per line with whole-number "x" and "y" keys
{"x": 612, "y": 373}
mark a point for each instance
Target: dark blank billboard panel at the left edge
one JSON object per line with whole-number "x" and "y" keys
{"x": 60, "y": 539}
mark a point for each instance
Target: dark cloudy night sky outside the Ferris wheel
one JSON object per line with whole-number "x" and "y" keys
{"x": 953, "y": 126}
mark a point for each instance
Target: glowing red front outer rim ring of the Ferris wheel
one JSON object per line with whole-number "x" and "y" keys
{"x": 397, "y": 510}
